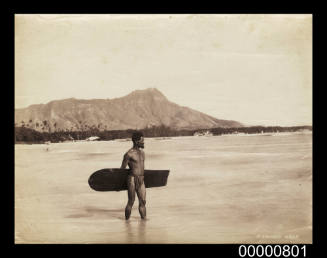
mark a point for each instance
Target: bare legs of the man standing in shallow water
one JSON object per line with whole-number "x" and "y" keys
{"x": 141, "y": 194}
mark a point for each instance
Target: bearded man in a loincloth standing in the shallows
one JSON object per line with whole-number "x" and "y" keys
{"x": 134, "y": 158}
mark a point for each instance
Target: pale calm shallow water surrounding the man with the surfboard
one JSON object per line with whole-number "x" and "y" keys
{"x": 221, "y": 189}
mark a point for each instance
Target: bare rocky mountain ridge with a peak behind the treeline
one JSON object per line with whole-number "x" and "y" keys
{"x": 137, "y": 110}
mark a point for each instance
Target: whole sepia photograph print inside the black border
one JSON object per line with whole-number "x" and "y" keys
{"x": 163, "y": 129}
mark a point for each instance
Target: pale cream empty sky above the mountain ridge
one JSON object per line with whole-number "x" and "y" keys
{"x": 255, "y": 69}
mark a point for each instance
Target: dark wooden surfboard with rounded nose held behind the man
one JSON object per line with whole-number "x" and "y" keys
{"x": 114, "y": 179}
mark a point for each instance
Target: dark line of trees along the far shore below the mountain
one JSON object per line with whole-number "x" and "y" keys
{"x": 27, "y": 135}
